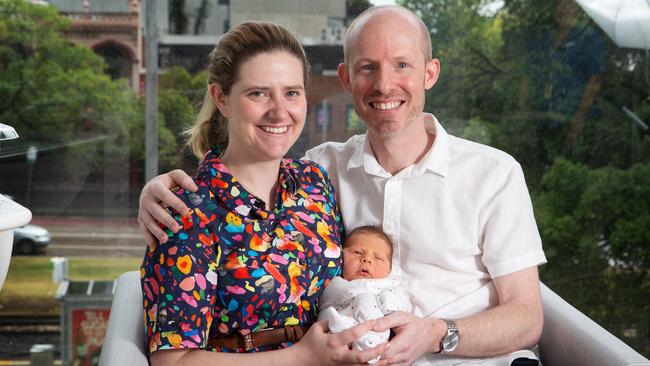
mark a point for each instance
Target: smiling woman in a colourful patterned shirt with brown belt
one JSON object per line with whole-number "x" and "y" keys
{"x": 262, "y": 236}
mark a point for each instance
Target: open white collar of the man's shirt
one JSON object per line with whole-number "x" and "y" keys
{"x": 436, "y": 160}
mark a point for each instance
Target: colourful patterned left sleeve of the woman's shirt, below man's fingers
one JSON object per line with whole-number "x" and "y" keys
{"x": 179, "y": 281}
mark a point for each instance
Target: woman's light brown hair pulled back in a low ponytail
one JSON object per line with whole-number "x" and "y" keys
{"x": 237, "y": 46}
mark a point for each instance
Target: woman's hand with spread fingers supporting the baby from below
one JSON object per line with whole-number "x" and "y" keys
{"x": 318, "y": 347}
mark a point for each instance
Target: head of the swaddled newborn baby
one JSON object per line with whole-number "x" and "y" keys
{"x": 367, "y": 253}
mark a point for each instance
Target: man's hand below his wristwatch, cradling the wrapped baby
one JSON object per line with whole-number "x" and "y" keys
{"x": 414, "y": 336}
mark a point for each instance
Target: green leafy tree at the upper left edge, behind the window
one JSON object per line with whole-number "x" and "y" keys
{"x": 54, "y": 92}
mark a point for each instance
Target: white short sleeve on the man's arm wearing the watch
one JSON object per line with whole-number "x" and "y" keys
{"x": 510, "y": 238}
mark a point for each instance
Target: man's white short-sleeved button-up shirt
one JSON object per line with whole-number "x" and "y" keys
{"x": 458, "y": 218}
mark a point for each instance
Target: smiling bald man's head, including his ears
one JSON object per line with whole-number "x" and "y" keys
{"x": 386, "y": 73}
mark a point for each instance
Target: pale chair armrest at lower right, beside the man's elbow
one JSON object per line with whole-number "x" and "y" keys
{"x": 571, "y": 338}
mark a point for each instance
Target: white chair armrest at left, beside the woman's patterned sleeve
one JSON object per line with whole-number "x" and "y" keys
{"x": 124, "y": 342}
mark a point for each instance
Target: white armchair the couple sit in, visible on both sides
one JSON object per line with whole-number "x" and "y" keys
{"x": 568, "y": 338}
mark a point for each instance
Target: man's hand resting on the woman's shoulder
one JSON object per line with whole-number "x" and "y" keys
{"x": 151, "y": 213}
